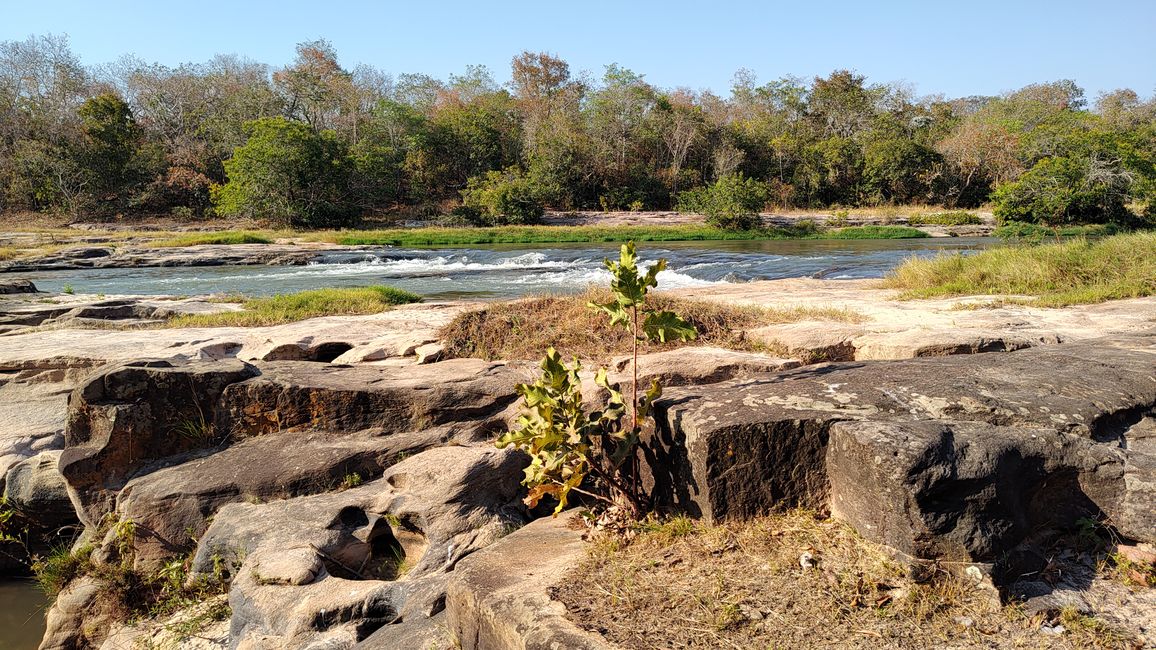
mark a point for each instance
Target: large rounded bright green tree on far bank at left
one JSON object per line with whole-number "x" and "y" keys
{"x": 290, "y": 174}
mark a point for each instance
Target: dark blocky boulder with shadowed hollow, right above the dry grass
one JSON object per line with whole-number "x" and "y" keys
{"x": 966, "y": 492}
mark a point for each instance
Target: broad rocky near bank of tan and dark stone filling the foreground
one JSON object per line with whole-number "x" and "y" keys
{"x": 337, "y": 477}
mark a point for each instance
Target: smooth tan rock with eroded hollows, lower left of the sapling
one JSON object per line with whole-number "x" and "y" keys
{"x": 429, "y": 512}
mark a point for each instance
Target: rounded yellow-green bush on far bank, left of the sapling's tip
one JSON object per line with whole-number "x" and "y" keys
{"x": 502, "y": 198}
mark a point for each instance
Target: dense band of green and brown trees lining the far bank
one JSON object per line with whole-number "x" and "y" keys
{"x": 315, "y": 144}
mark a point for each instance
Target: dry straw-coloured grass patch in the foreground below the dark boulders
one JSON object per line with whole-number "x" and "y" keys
{"x": 685, "y": 585}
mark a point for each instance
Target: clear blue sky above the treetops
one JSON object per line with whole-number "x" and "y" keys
{"x": 960, "y": 48}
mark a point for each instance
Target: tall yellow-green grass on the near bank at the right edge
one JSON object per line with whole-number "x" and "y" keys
{"x": 1056, "y": 275}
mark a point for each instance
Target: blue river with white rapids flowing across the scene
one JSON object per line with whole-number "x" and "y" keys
{"x": 517, "y": 270}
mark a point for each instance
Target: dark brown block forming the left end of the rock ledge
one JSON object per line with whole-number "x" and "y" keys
{"x": 130, "y": 417}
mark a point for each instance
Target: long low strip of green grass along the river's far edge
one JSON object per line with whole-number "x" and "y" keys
{"x": 562, "y": 234}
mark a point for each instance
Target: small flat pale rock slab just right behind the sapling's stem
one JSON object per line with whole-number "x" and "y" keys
{"x": 699, "y": 366}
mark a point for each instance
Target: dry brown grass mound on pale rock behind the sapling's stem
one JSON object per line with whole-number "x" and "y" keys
{"x": 523, "y": 330}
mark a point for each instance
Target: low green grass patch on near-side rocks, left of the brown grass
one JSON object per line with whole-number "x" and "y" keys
{"x": 290, "y": 308}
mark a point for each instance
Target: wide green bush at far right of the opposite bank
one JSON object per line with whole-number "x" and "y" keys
{"x": 1064, "y": 190}
